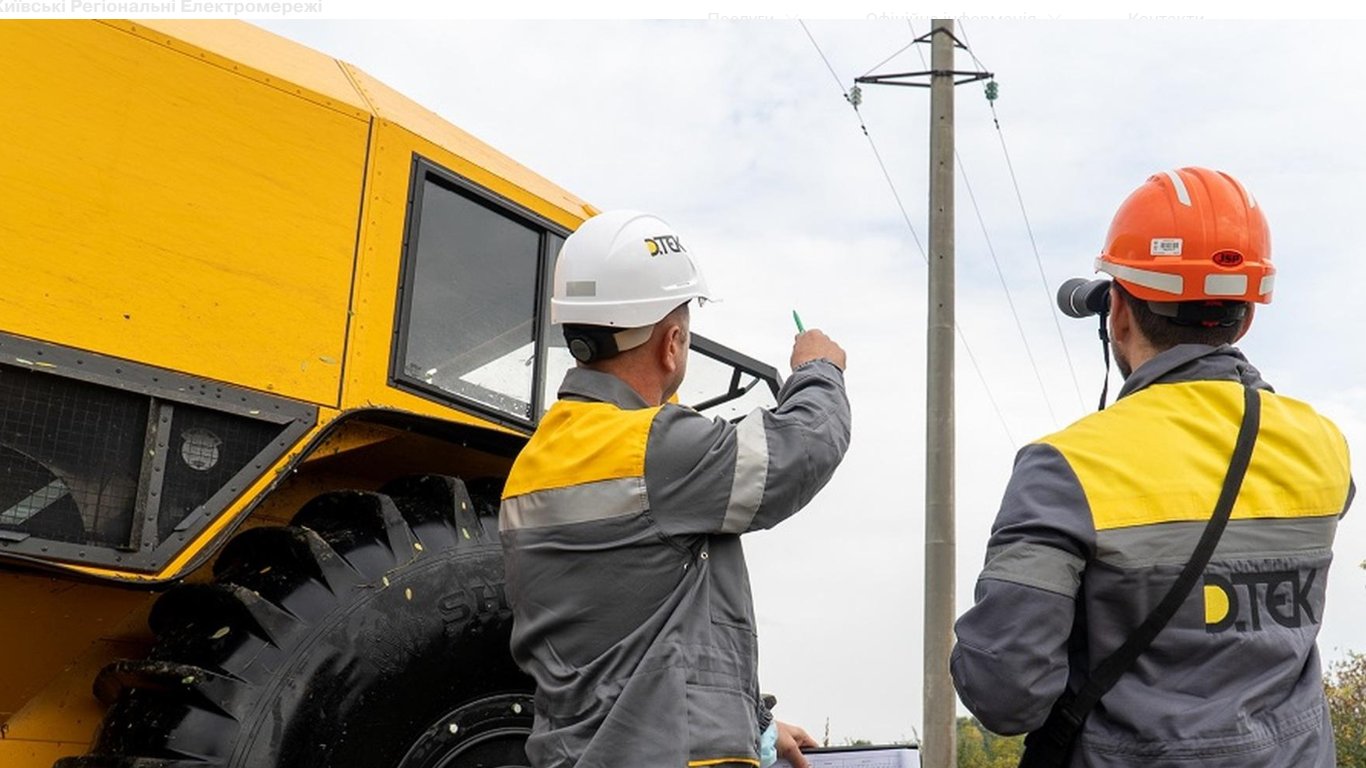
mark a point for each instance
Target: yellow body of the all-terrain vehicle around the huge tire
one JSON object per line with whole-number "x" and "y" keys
{"x": 211, "y": 223}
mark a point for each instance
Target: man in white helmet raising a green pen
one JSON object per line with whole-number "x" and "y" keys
{"x": 622, "y": 517}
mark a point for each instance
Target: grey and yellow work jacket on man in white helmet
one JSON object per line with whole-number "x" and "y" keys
{"x": 630, "y": 595}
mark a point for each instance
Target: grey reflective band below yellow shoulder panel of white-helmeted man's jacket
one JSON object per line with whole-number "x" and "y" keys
{"x": 574, "y": 504}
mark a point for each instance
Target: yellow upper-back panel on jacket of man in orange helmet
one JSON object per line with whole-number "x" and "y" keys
{"x": 1162, "y": 454}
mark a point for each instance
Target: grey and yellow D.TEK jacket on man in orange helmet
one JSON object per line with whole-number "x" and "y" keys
{"x": 1098, "y": 521}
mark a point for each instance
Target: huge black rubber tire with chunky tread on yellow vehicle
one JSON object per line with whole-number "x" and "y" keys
{"x": 370, "y": 633}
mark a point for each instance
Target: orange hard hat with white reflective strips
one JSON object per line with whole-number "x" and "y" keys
{"x": 1190, "y": 234}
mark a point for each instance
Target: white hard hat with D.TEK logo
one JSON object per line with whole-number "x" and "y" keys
{"x": 624, "y": 270}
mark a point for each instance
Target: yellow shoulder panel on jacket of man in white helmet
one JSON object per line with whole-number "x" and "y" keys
{"x": 580, "y": 443}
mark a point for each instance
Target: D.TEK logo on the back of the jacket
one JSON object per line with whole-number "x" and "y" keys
{"x": 1283, "y": 595}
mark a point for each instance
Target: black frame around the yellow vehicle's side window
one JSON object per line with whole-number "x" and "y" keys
{"x": 423, "y": 172}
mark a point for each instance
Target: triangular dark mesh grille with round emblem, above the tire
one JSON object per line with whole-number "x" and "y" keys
{"x": 207, "y": 452}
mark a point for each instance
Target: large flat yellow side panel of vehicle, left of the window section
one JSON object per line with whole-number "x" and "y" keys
{"x": 163, "y": 208}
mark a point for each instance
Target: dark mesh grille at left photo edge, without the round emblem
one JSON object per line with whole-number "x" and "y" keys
{"x": 70, "y": 454}
